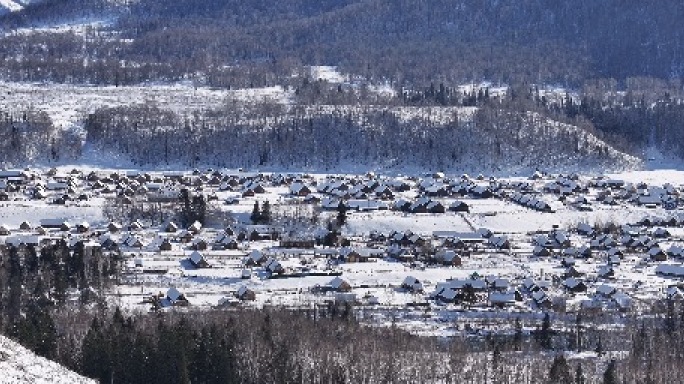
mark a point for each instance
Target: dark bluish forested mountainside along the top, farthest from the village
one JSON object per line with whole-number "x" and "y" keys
{"x": 401, "y": 40}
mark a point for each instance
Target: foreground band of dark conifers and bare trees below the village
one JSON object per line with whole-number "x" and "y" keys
{"x": 329, "y": 343}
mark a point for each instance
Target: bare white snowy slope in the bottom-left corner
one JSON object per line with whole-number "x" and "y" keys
{"x": 19, "y": 365}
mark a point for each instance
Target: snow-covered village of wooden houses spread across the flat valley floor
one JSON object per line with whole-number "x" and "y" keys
{"x": 437, "y": 254}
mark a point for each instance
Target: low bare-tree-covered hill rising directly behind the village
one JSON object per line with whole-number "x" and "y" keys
{"x": 332, "y": 139}
